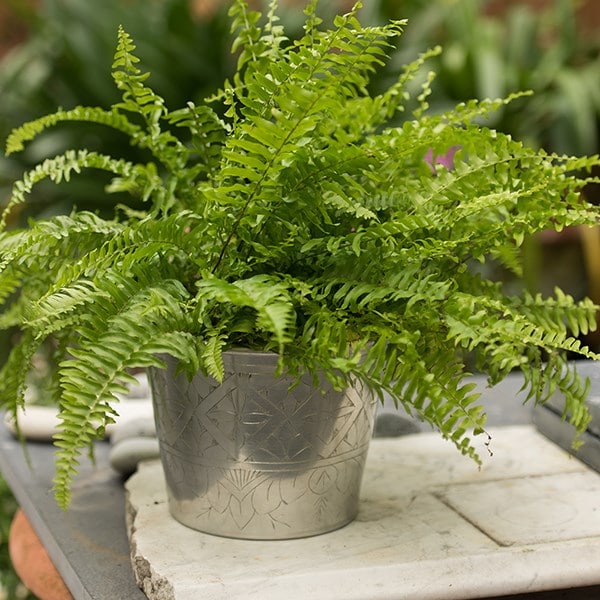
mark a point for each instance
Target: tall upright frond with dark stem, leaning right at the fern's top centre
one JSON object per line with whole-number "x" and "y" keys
{"x": 298, "y": 108}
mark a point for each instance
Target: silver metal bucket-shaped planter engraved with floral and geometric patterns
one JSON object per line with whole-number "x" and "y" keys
{"x": 250, "y": 458}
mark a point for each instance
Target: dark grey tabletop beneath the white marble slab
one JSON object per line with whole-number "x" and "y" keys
{"x": 88, "y": 544}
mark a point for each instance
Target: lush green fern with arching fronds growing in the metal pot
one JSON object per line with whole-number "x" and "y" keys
{"x": 286, "y": 214}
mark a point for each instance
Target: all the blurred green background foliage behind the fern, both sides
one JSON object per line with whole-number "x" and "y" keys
{"x": 58, "y": 53}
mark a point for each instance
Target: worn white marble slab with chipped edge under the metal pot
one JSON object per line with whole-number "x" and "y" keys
{"x": 432, "y": 526}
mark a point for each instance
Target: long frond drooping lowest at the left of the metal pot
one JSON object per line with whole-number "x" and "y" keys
{"x": 111, "y": 343}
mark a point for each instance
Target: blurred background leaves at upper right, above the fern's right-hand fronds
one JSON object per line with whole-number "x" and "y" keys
{"x": 488, "y": 54}
